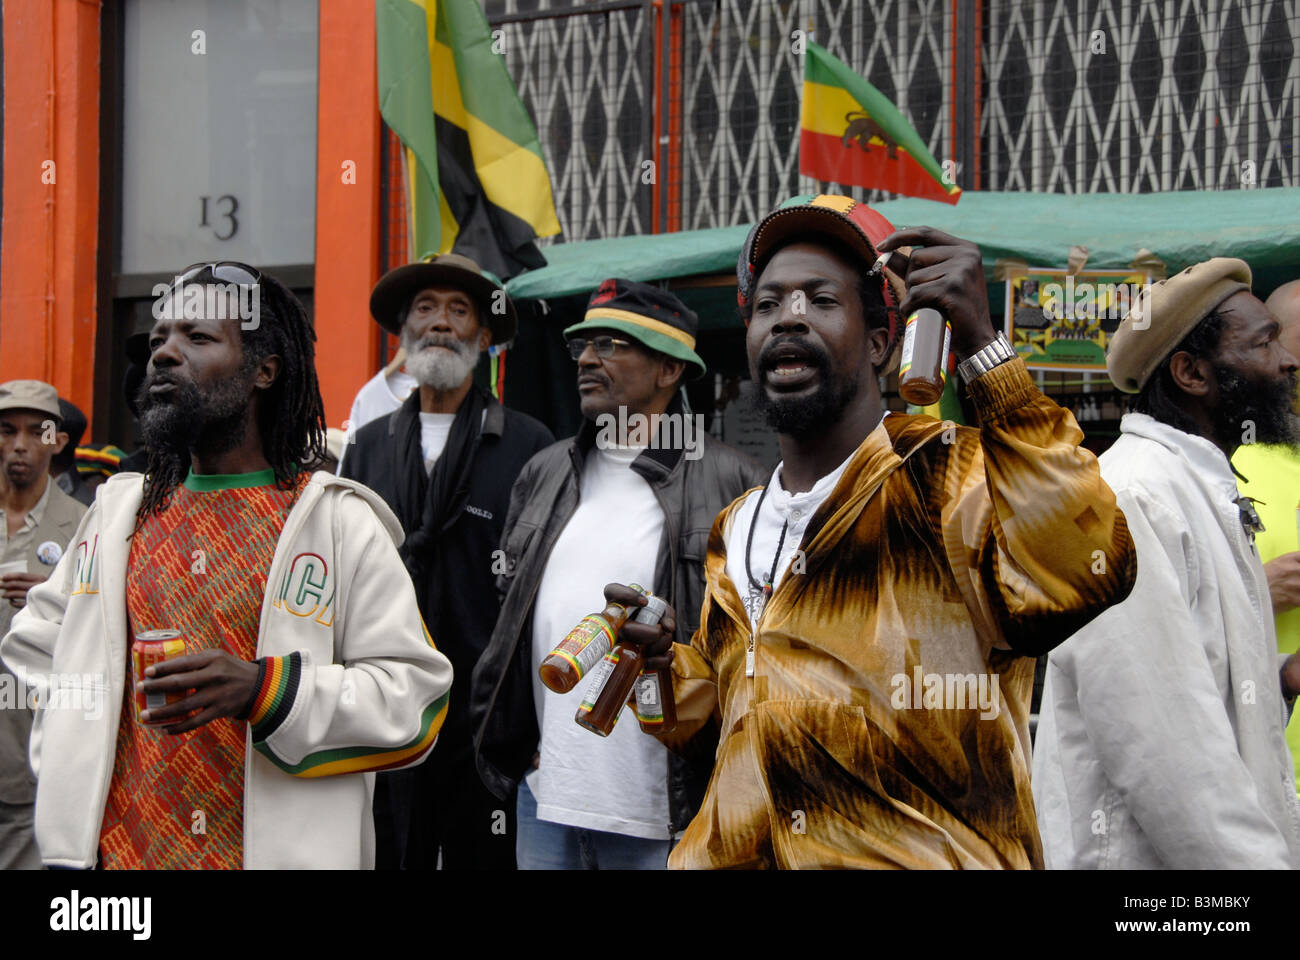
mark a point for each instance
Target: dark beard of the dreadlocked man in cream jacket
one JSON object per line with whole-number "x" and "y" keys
{"x": 189, "y": 421}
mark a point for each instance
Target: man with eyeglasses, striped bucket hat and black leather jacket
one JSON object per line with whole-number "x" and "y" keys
{"x": 631, "y": 499}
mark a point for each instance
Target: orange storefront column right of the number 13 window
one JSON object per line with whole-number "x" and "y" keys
{"x": 348, "y": 204}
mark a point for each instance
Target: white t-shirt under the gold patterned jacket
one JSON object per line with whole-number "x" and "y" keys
{"x": 779, "y": 508}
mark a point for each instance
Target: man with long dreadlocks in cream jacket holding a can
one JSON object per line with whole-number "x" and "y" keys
{"x": 307, "y": 665}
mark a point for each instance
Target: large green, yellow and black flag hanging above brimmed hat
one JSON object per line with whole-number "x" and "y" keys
{"x": 476, "y": 181}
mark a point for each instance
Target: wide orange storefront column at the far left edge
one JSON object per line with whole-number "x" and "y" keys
{"x": 51, "y": 194}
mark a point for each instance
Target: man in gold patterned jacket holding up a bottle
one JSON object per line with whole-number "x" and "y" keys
{"x": 868, "y": 638}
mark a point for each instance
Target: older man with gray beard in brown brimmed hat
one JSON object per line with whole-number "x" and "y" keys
{"x": 445, "y": 461}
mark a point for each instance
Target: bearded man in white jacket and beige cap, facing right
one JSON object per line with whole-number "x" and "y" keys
{"x": 1160, "y": 742}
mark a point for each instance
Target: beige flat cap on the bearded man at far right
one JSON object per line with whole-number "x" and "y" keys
{"x": 1165, "y": 313}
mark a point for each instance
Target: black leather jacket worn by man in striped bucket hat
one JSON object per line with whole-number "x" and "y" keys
{"x": 692, "y": 494}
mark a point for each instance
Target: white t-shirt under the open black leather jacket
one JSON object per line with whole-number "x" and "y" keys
{"x": 617, "y": 784}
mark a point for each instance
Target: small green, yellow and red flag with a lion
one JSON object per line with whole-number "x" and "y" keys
{"x": 852, "y": 135}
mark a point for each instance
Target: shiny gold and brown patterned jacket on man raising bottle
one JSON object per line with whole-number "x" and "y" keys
{"x": 887, "y": 720}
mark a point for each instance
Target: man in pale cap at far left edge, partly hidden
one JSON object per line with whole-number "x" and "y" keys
{"x": 37, "y": 522}
